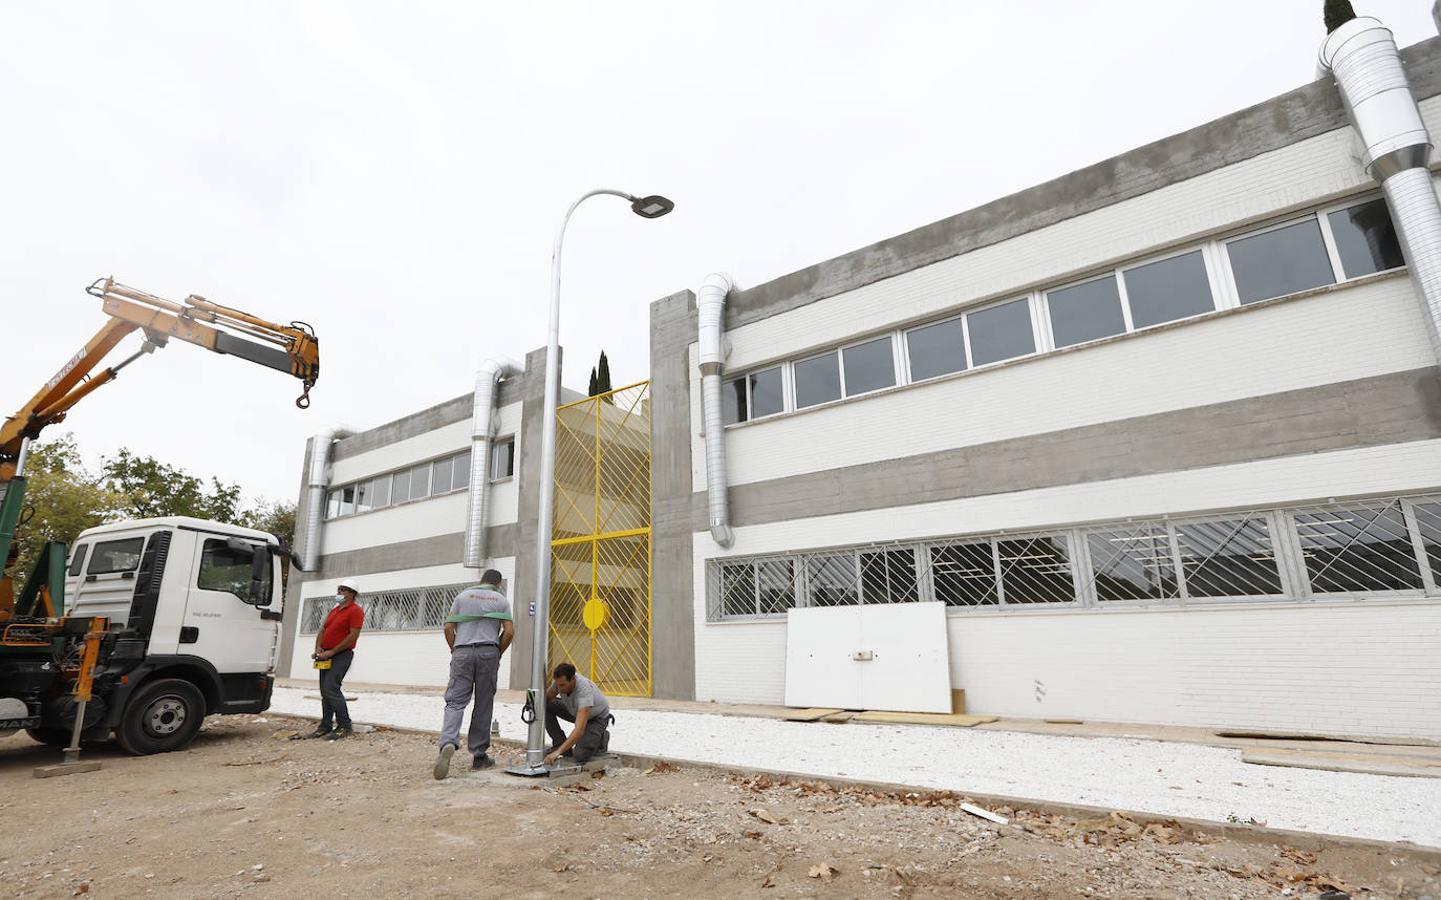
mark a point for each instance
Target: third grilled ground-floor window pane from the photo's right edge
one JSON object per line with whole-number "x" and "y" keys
{"x": 1230, "y": 558}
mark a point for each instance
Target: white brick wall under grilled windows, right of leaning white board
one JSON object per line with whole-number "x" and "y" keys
{"x": 1355, "y": 669}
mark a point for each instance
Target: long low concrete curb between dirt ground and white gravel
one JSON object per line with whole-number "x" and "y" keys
{"x": 1313, "y": 842}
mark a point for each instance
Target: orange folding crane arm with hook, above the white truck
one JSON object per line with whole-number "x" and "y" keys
{"x": 292, "y": 349}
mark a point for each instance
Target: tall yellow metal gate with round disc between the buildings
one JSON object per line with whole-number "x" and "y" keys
{"x": 600, "y": 551}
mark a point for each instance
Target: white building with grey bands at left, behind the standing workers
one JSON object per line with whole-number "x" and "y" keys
{"x": 396, "y": 519}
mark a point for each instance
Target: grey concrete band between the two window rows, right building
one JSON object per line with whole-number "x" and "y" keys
{"x": 1368, "y": 413}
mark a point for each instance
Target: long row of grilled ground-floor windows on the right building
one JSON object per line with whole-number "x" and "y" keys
{"x": 1368, "y": 548}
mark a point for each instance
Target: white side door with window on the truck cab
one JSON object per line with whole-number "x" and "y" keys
{"x": 230, "y": 590}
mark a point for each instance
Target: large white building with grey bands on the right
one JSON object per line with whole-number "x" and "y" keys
{"x": 1164, "y": 436}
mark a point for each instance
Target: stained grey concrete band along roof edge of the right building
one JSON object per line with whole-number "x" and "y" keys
{"x": 1277, "y": 123}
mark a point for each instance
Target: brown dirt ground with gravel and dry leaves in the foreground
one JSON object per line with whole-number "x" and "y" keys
{"x": 247, "y": 813}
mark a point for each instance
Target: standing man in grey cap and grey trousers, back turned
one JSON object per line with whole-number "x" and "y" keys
{"x": 479, "y": 631}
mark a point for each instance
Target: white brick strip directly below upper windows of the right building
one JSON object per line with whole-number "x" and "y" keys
{"x": 1342, "y": 335}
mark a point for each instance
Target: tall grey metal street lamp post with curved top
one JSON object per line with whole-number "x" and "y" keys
{"x": 651, "y": 207}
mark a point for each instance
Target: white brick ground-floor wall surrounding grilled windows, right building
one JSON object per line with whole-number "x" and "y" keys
{"x": 1259, "y": 652}
